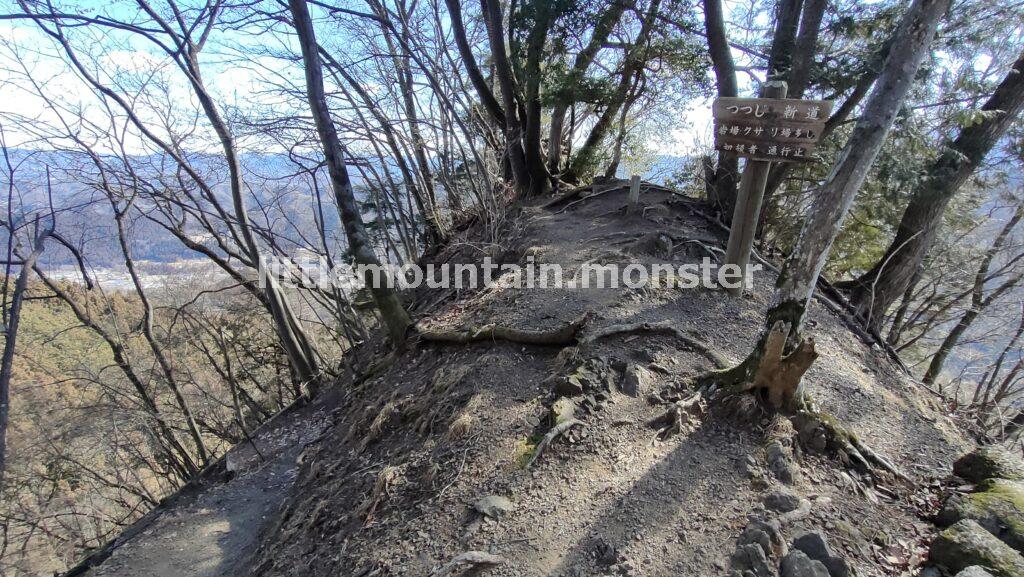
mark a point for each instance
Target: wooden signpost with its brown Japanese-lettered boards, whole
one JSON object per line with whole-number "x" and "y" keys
{"x": 763, "y": 131}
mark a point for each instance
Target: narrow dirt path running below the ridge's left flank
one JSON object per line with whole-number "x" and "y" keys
{"x": 215, "y": 533}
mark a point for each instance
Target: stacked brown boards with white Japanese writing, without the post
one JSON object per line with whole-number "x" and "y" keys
{"x": 771, "y": 130}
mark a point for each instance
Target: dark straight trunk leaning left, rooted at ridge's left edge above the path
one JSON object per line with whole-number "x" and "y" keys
{"x": 396, "y": 318}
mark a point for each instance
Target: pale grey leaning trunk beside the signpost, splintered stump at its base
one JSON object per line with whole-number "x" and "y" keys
{"x": 801, "y": 271}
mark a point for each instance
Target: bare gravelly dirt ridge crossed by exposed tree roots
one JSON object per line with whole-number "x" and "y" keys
{"x": 391, "y": 487}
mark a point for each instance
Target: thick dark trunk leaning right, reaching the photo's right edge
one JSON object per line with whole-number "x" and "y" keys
{"x": 874, "y": 293}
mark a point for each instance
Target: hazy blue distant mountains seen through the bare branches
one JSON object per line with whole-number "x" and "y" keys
{"x": 280, "y": 194}
